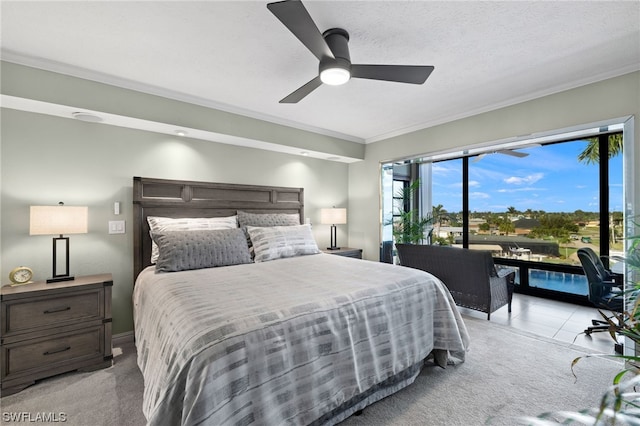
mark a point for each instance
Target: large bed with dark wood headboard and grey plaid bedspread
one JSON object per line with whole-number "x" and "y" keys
{"x": 297, "y": 337}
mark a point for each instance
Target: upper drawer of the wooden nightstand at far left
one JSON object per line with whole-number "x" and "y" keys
{"x": 53, "y": 311}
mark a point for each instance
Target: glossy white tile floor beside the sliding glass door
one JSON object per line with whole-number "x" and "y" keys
{"x": 550, "y": 318}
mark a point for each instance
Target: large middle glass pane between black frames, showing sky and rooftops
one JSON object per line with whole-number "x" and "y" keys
{"x": 539, "y": 203}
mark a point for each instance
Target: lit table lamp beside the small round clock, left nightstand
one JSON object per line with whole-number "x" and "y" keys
{"x": 58, "y": 220}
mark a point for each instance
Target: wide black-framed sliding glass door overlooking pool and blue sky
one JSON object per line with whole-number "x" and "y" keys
{"x": 532, "y": 206}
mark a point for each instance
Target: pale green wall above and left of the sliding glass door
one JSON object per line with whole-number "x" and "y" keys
{"x": 615, "y": 98}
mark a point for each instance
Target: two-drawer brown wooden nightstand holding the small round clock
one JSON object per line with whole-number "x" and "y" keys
{"x": 49, "y": 329}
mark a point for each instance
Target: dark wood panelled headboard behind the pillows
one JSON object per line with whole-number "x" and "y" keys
{"x": 177, "y": 198}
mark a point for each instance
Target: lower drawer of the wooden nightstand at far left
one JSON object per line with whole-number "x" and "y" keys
{"x": 47, "y": 353}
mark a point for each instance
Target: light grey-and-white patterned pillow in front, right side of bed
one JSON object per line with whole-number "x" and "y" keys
{"x": 275, "y": 242}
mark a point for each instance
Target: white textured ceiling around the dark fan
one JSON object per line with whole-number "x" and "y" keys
{"x": 237, "y": 56}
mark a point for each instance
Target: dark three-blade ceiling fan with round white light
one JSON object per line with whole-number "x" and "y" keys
{"x": 332, "y": 50}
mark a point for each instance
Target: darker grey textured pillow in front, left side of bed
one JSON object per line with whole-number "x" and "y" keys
{"x": 184, "y": 250}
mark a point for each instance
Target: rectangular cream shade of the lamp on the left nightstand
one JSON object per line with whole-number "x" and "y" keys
{"x": 58, "y": 220}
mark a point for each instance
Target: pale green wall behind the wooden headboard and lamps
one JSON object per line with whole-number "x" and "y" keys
{"x": 46, "y": 159}
